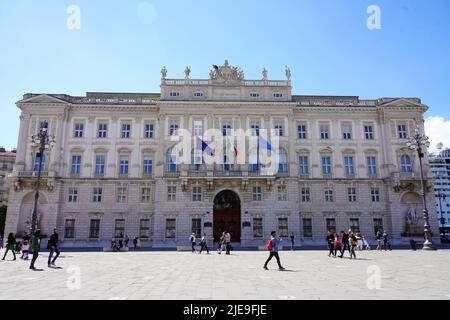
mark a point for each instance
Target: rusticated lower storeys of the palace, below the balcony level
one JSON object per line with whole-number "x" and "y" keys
{"x": 164, "y": 212}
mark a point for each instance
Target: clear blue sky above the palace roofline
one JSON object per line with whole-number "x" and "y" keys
{"x": 122, "y": 45}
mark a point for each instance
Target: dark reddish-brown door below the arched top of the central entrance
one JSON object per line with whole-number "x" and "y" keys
{"x": 228, "y": 220}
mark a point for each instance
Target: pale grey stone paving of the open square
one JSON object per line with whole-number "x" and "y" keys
{"x": 399, "y": 274}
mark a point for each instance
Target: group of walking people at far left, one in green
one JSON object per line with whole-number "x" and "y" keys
{"x": 33, "y": 244}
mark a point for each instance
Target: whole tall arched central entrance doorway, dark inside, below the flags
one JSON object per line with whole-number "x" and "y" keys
{"x": 227, "y": 215}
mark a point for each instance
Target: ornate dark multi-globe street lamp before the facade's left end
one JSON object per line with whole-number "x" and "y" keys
{"x": 44, "y": 142}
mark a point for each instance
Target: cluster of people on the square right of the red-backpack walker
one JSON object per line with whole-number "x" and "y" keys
{"x": 352, "y": 241}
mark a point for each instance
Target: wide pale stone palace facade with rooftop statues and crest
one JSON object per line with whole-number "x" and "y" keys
{"x": 343, "y": 164}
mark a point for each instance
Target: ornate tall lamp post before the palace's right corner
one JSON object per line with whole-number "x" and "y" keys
{"x": 418, "y": 142}
